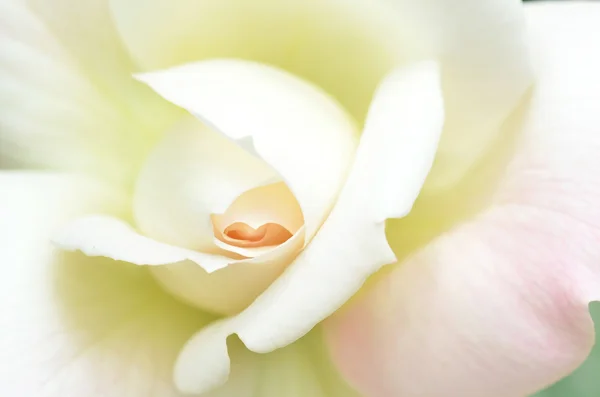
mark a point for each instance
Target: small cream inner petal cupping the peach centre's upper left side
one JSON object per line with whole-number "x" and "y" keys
{"x": 193, "y": 173}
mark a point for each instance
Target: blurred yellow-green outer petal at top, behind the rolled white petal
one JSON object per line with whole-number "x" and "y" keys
{"x": 348, "y": 46}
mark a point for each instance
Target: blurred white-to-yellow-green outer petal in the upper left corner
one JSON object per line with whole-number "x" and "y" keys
{"x": 67, "y": 99}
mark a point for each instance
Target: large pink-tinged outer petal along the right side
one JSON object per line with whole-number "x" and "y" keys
{"x": 498, "y": 306}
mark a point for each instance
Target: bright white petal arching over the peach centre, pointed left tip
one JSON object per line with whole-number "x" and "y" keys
{"x": 293, "y": 126}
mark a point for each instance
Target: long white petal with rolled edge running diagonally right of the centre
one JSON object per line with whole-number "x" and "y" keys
{"x": 350, "y": 245}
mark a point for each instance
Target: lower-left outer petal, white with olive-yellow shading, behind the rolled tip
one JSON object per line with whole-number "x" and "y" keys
{"x": 76, "y": 326}
